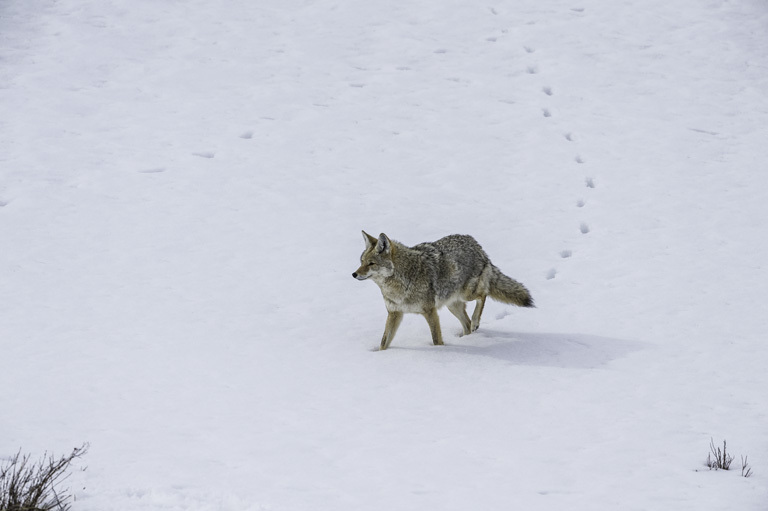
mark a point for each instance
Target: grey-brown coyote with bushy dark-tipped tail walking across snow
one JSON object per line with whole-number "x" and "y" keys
{"x": 421, "y": 279}
